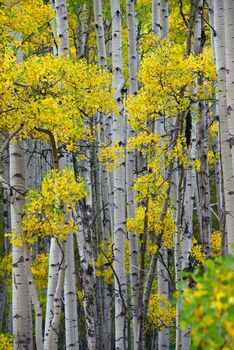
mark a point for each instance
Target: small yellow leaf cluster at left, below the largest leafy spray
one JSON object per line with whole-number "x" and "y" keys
{"x": 49, "y": 212}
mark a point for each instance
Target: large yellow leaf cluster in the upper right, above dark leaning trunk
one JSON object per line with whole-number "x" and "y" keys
{"x": 168, "y": 81}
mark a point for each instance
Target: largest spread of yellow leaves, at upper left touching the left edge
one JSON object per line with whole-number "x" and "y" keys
{"x": 54, "y": 94}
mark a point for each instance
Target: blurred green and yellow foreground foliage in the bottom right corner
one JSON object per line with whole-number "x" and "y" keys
{"x": 208, "y": 307}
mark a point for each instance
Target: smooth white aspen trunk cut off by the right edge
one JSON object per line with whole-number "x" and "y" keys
{"x": 227, "y": 135}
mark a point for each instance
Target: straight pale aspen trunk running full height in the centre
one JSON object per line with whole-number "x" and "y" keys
{"x": 119, "y": 181}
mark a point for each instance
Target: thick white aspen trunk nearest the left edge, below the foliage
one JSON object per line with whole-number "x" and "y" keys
{"x": 21, "y": 304}
